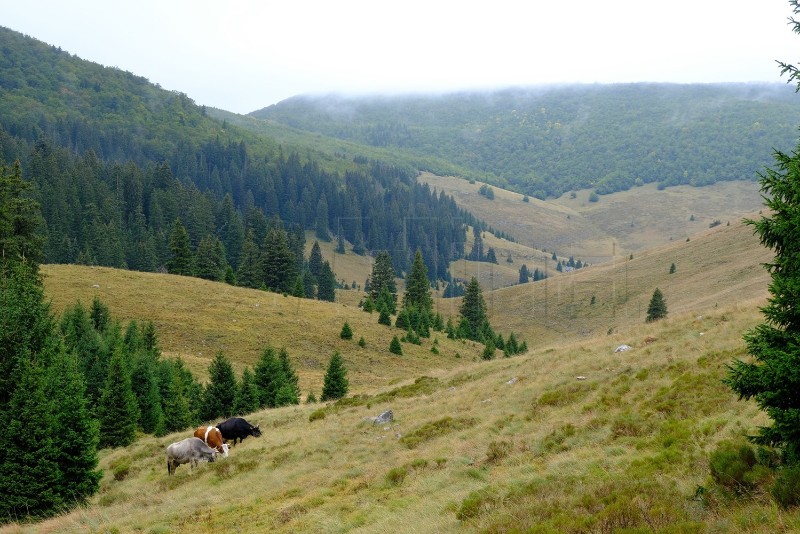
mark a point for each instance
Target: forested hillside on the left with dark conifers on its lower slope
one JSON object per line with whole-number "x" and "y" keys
{"x": 124, "y": 169}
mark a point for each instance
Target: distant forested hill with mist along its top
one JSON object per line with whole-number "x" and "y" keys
{"x": 548, "y": 140}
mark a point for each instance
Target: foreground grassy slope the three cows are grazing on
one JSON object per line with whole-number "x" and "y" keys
{"x": 573, "y": 438}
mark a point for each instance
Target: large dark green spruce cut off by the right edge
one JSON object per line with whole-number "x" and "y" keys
{"x": 771, "y": 378}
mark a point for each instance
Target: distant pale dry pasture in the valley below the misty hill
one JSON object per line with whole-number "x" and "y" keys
{"x": 618, "y": 224}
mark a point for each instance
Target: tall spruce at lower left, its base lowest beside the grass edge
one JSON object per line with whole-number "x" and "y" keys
{"x": 76, "y": 434}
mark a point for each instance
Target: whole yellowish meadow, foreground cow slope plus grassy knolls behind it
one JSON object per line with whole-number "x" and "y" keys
{"x": 570, "y": 437}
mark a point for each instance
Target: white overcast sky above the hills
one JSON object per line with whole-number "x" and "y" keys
{"x": 244, "y": 55}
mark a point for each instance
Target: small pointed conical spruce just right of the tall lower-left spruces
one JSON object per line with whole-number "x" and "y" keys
{"x": 117, "y": 409}
